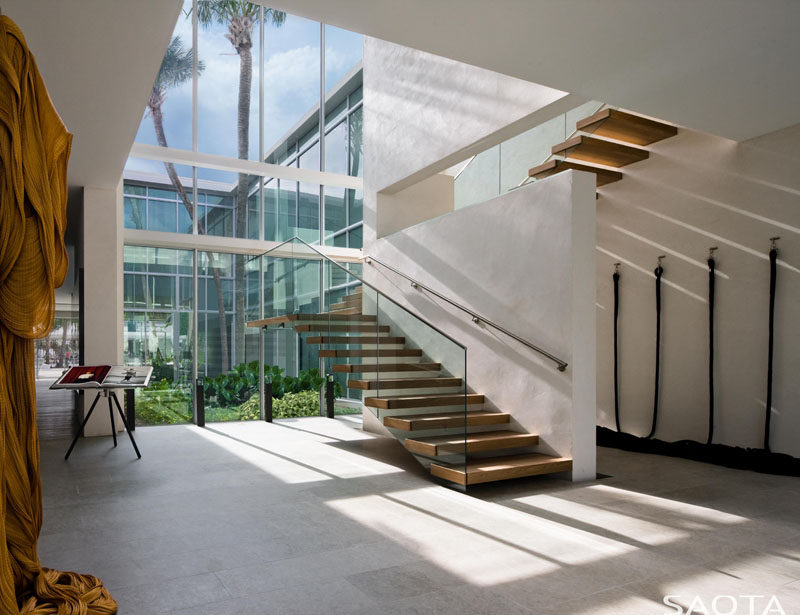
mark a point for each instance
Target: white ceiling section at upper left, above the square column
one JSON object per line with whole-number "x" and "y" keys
{"x": 98, "y": 59}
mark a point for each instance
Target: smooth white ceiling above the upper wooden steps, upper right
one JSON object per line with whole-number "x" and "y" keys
{"x": 728, "y": 67}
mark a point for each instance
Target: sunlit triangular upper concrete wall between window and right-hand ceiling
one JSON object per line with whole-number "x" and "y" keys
{"x": 424, "y": 113}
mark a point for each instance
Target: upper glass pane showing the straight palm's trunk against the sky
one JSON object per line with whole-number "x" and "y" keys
{"x": 228, "y": 86}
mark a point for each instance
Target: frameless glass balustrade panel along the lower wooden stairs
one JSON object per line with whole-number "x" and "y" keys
{"x": 367, "y": 344}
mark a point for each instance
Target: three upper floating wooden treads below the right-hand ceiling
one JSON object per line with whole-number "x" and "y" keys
{"x": 630, "y": 133}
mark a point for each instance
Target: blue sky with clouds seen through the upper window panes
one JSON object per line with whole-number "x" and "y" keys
{"x": 291, "y": 80}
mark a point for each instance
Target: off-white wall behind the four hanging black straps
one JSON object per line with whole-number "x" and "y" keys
{"x": 697, "y": 191}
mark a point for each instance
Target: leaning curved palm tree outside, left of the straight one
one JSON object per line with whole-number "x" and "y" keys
{"x": 176, "y": 69}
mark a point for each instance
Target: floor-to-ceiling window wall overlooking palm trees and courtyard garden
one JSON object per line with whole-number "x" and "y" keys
{"x": 241, "y": 94}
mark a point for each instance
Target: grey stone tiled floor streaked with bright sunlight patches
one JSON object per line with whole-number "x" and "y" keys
{"x": 313, "y": 516}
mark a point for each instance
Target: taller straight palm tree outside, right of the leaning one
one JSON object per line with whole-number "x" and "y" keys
{"x": 240, "y": 17}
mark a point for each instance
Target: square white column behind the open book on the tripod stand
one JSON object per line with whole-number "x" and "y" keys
{"x": 102, "y": 270}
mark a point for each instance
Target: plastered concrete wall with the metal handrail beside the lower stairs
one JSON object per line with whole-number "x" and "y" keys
{"x": 526, "y": 261}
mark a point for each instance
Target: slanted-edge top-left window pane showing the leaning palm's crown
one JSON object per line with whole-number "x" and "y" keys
{"x": 168, "y": 112}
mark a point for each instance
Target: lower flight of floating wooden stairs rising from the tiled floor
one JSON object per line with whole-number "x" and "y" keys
{"x": 447, "y": 429}
